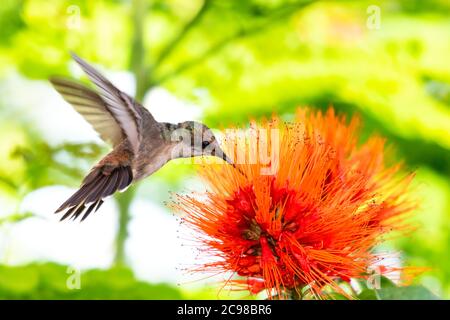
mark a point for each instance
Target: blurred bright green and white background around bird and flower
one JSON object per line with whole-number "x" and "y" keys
{"x": 221, "y": 62}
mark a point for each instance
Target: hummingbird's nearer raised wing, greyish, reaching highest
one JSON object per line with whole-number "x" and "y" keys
{"x": 123, "y": 108}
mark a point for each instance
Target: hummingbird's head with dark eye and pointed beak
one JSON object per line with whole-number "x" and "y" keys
{"x": 198, "y": 140}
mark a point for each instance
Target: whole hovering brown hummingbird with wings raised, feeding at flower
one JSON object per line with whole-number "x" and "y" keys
{"x": 141, "y": 145}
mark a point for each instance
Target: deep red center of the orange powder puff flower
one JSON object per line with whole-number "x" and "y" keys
{"x": 261, "y": 238}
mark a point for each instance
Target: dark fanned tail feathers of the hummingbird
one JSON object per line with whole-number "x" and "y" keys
{"x": 100, "y": 183}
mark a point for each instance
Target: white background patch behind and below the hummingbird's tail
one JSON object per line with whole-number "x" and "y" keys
{"x": 44, "y": 238}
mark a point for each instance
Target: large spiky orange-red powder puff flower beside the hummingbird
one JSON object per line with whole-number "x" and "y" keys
{"x": 312, "y": 221}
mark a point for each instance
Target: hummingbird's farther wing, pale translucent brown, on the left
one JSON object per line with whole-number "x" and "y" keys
{"x": 91, "y": 106}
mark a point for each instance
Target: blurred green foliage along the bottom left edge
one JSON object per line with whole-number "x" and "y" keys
{"x": 49, "y": 281}
